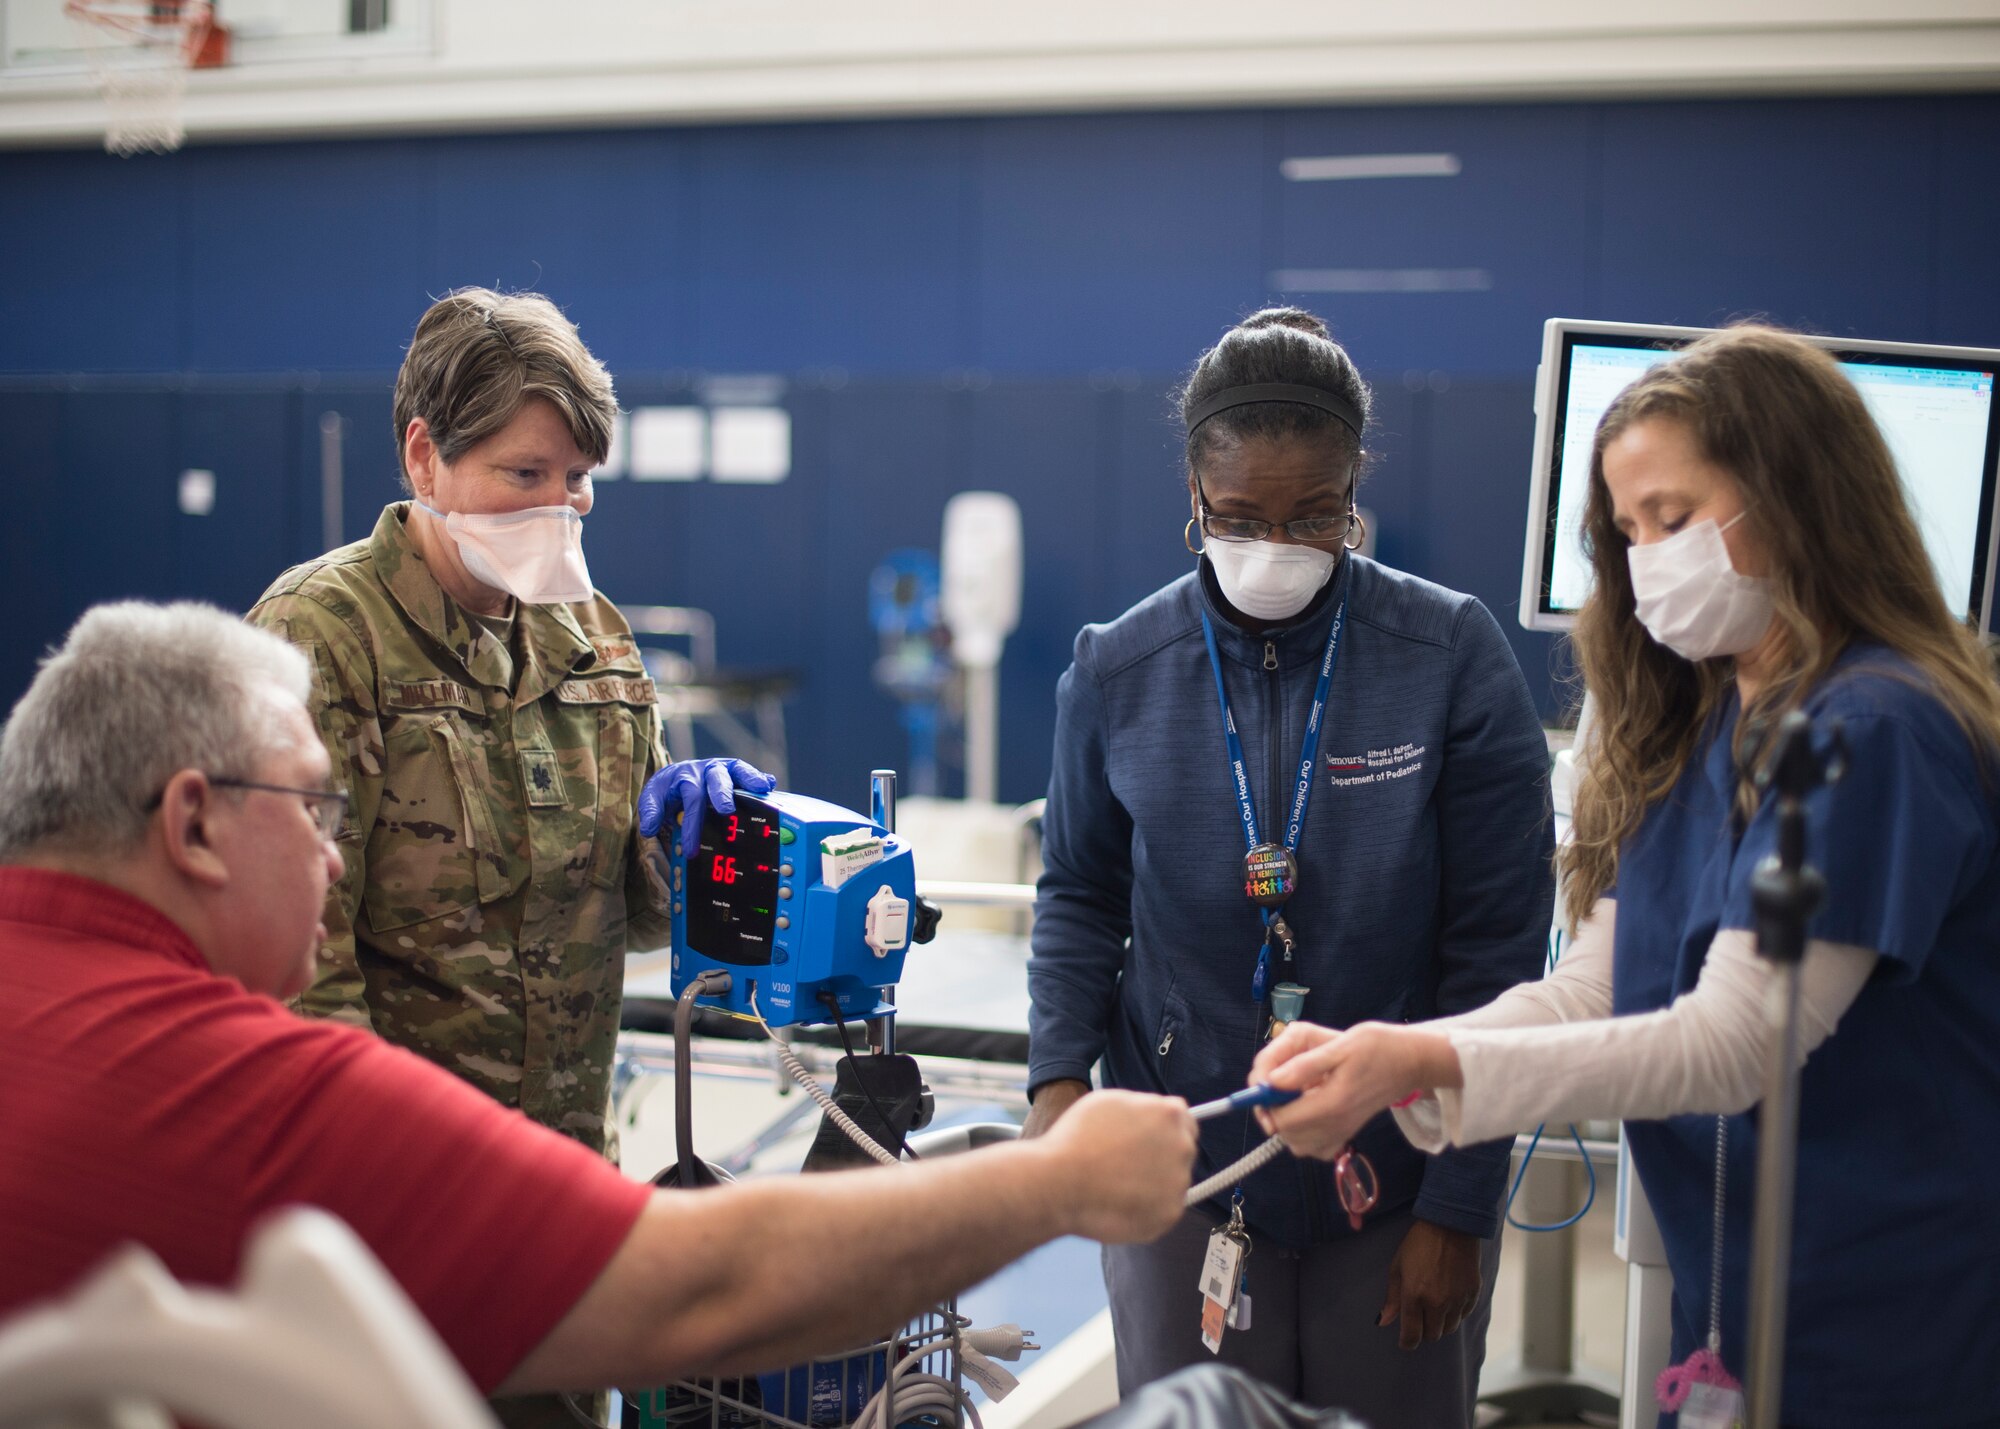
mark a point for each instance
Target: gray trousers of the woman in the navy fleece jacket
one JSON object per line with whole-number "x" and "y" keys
{"x": 1313, "y": 1326}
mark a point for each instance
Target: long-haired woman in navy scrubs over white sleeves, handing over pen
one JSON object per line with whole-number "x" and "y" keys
{"x": 1755, "y": 555}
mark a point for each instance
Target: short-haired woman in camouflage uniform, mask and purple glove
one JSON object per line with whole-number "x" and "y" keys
{"x": 493, "y": 726}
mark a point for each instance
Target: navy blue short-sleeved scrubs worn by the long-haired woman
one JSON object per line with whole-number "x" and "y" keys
{"x": 1895, "y": 1308}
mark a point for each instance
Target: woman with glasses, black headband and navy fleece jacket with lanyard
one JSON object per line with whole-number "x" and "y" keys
{"x": 1291, "y": 770}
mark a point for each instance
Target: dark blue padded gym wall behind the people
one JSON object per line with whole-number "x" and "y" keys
{"x": 967, "y": 303}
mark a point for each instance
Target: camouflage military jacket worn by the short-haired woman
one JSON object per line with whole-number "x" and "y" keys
{"x": 493, "y": 874}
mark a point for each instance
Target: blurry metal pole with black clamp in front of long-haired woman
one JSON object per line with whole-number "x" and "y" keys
{"x": 1785, "y": 894}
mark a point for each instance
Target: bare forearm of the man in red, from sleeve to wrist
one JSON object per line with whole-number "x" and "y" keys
{"x": 777, "y": 1272}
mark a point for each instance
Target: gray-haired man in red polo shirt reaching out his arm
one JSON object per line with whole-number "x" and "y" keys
{"x": 163, "y": 866}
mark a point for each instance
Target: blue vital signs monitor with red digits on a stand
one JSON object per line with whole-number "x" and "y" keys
{"x": 795, "y": 898}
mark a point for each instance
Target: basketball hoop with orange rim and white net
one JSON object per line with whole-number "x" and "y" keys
{"x": 141, "y": 53}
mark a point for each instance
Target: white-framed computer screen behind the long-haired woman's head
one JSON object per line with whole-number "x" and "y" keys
{"x": 1935, "y": 409}
